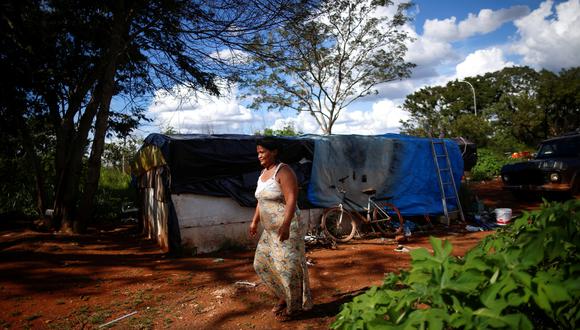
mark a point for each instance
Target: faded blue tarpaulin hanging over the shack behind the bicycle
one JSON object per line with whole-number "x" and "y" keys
{"x": 398, "y": 166}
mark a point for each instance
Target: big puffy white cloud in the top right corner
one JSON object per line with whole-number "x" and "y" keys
{"x": 550, "y": 41}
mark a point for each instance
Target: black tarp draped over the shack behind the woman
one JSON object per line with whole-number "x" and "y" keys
{"x": 227, "y": 165}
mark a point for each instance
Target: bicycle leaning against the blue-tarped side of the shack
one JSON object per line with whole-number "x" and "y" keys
{"x": 338, "y": 223}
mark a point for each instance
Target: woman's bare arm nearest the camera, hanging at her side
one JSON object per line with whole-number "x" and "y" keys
{"x": 289, "y": 187}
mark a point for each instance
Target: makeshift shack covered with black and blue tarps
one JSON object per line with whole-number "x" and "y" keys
{"x": 197, "y": 191}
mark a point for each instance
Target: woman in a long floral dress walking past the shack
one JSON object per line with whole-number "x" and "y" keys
{"x": 280, "y": 259}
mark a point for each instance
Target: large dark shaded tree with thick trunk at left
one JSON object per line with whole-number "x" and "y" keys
{"x": 67, "y": 59}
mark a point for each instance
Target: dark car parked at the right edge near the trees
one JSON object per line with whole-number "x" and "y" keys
{"x": 555, "y": 167}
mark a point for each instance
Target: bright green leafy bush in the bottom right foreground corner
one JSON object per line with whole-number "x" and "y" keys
{"x": 525, "y": 275}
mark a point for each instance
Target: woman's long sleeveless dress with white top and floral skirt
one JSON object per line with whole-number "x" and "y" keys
{"x": 281, "y": 265}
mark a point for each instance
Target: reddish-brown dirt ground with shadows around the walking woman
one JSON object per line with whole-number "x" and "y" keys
{"x": 80, "y": 282}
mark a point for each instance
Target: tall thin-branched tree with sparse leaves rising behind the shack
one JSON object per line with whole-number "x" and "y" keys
{"x": 328, "y": 61}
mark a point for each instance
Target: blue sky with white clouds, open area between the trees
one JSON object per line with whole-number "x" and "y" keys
{"x": 453, "y": 40}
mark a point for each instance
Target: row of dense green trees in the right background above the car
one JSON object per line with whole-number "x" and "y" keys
{"x": 516, "y": 105}
